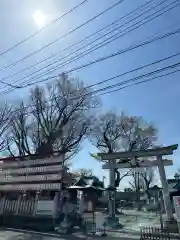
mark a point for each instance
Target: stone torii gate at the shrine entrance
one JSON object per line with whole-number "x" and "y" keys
{"x": 130, "y": 160}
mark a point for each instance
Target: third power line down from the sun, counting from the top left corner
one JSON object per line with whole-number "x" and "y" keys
{"x": 78, "y": 42}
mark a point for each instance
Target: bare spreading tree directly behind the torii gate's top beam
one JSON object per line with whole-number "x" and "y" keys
{"x": 113, "y": 133}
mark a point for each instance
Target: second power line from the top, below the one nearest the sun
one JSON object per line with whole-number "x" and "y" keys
{"x": 65, "y": 35}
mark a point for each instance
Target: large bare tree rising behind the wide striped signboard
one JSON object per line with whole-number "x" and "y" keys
{"x": 58, "y": 119}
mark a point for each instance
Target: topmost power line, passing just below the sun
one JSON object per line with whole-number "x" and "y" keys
{"x": 42, "y": 29}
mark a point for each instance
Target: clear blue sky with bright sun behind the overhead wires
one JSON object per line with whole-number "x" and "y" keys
{"x": 156, "y": 101}
